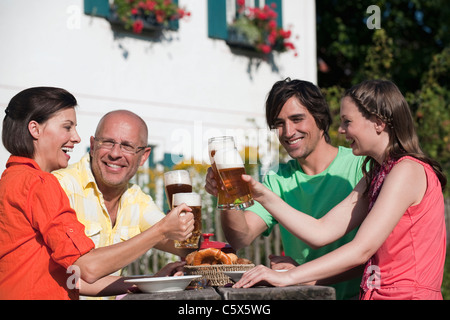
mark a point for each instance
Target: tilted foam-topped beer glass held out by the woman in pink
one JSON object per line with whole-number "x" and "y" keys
{"x": 231, "y": 167}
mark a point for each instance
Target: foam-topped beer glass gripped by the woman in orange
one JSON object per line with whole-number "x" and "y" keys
{"x": 192, "y": 200}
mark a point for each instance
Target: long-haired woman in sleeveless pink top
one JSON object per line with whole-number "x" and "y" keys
{"x": 398, "y": 206}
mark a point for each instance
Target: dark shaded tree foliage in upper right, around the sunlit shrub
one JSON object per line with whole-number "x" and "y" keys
{"x": 418, "y": 29}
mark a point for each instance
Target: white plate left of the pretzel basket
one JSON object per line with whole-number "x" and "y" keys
{"x": 163, "y": 284}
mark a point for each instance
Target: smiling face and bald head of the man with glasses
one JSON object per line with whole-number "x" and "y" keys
{"x": 113, "y": 168}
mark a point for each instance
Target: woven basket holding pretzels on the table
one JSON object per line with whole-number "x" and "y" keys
{"x": 213, "y": 274}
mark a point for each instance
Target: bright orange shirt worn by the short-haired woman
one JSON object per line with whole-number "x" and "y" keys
{"x": 40, "y": 236}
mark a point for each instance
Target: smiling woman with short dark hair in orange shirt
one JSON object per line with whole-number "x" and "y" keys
{"x": 43, "y": 248}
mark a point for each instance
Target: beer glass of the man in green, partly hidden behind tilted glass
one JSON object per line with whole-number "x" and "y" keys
{"x": 224, "y": 200}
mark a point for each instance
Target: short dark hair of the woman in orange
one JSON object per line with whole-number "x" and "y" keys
{"x": 38, "y": 104}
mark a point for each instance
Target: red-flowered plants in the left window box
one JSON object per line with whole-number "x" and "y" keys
{"x": 135, "y": 13}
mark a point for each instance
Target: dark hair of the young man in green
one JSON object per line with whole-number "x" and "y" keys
{"x": 309, "y": 96}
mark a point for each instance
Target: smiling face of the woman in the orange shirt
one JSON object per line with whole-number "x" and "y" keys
{"x": 54, "y": 139}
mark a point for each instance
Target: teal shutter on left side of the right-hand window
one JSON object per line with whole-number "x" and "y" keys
{"x": 217, "y": 19}
